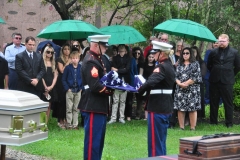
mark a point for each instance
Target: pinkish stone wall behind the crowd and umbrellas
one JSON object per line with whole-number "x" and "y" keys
{"x": 30, "y": 17}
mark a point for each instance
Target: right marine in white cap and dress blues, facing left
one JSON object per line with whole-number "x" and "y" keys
{"x": 160, "y": 102}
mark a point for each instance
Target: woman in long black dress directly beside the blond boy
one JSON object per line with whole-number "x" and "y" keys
{"x": 62, "y": 62}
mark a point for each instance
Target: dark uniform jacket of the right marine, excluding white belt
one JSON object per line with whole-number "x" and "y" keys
{"x": 163, "y": 77}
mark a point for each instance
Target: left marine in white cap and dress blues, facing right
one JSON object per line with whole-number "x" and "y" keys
{"x": 94, "y": 100}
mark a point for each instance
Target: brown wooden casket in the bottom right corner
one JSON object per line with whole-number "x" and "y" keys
{"x": 223, "y": 148}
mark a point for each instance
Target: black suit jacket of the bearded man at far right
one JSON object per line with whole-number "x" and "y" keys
{"x": 223, "y": 71}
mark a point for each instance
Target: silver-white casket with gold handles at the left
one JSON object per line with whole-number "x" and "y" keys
{"x": 22, "y": 118}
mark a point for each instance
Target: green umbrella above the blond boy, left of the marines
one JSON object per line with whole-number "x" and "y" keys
{"x": 68, "y": 30}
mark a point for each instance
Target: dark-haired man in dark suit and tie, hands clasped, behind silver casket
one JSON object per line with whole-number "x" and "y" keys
{"x": 30, "y": 68}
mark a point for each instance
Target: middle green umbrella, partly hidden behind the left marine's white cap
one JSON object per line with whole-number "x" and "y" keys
{"x": 122, "y": 34}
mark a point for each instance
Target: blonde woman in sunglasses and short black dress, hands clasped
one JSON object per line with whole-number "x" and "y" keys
{"x": 50, "y": 78}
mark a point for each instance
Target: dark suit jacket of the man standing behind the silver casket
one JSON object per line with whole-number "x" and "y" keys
{"x": 28, "y": 69}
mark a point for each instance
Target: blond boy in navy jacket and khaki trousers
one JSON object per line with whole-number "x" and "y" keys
{"x": 72, "y": 83}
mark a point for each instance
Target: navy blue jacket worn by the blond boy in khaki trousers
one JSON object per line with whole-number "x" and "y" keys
{"x": 68, "y": 77}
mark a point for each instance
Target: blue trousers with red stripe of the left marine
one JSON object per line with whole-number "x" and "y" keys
{"x": 94, "y": 128}
